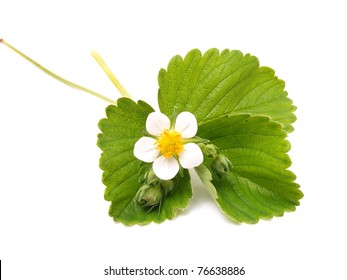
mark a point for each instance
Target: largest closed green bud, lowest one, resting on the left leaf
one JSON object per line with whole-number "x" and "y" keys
{"x": 149, "y": 196}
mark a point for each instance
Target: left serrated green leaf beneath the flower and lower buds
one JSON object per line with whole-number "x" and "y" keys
{"x": 124, "y": 125}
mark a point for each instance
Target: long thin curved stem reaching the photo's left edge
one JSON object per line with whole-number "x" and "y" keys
{"x": 55, "y": 76}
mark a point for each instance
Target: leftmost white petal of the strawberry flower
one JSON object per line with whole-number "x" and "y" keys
{"x": 145, "y": 149}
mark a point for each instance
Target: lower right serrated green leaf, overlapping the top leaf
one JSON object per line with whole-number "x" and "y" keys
{"x": 259, "y": 185}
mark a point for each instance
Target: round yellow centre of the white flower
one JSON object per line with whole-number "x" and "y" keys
{"x": 170, "y": 143}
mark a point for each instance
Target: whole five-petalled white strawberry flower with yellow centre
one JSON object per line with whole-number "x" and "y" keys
{"x": 170, "y": 145}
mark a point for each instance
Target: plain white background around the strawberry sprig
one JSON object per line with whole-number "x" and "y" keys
{"x": 53, "y": 218}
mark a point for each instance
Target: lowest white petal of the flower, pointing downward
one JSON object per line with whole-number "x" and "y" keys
{"x": 165, "y": 168}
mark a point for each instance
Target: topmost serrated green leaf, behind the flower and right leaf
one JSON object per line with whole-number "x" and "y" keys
{"x": 215, "y": 84}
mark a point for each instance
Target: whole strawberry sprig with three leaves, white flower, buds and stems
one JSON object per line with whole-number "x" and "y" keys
{"x": 240, "y": 152}
